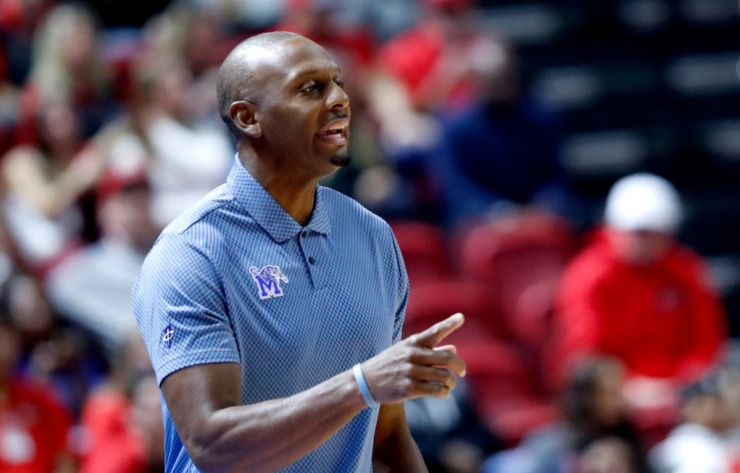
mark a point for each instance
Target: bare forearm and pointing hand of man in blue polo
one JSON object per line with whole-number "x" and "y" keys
{"x": 222, "y": 435}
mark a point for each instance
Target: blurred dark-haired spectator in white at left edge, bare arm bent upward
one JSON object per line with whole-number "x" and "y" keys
{"x": 43, "y": 186}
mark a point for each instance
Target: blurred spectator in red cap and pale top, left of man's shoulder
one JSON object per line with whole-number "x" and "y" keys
{"x": 93, "y": 286}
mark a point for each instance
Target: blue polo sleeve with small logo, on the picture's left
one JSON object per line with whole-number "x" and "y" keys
{"x": 179, "y": 303}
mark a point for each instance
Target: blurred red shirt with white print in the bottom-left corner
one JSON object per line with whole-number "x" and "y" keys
{"x": 34, "y": 429}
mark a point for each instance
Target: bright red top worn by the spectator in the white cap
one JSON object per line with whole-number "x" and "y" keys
{"x": 663, "y": 321}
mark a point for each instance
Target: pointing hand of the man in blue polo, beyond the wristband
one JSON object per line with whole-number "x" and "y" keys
{"x": 416, "y": 366}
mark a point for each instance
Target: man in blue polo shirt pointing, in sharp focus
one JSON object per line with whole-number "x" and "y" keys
{"x": 271, "y": 308}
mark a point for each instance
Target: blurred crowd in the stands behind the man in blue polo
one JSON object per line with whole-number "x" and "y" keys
{"x": 595, "y": 345}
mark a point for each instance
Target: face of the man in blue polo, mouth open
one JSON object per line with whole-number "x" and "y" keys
{"x": 303, "y": 109}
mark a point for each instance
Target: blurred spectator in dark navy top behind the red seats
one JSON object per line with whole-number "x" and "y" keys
{"x": 500, "y": 151}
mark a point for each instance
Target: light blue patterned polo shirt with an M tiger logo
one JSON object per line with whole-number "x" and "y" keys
{"x": 236, "y": 280}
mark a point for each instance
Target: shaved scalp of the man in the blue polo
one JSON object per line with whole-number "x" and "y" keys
{"x": 236, "y": 78}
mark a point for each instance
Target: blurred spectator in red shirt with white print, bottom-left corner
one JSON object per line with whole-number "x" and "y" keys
{"x": 34, "y": 426}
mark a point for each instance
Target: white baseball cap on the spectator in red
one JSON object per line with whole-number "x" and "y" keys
{"x": 644, "y": 202}
